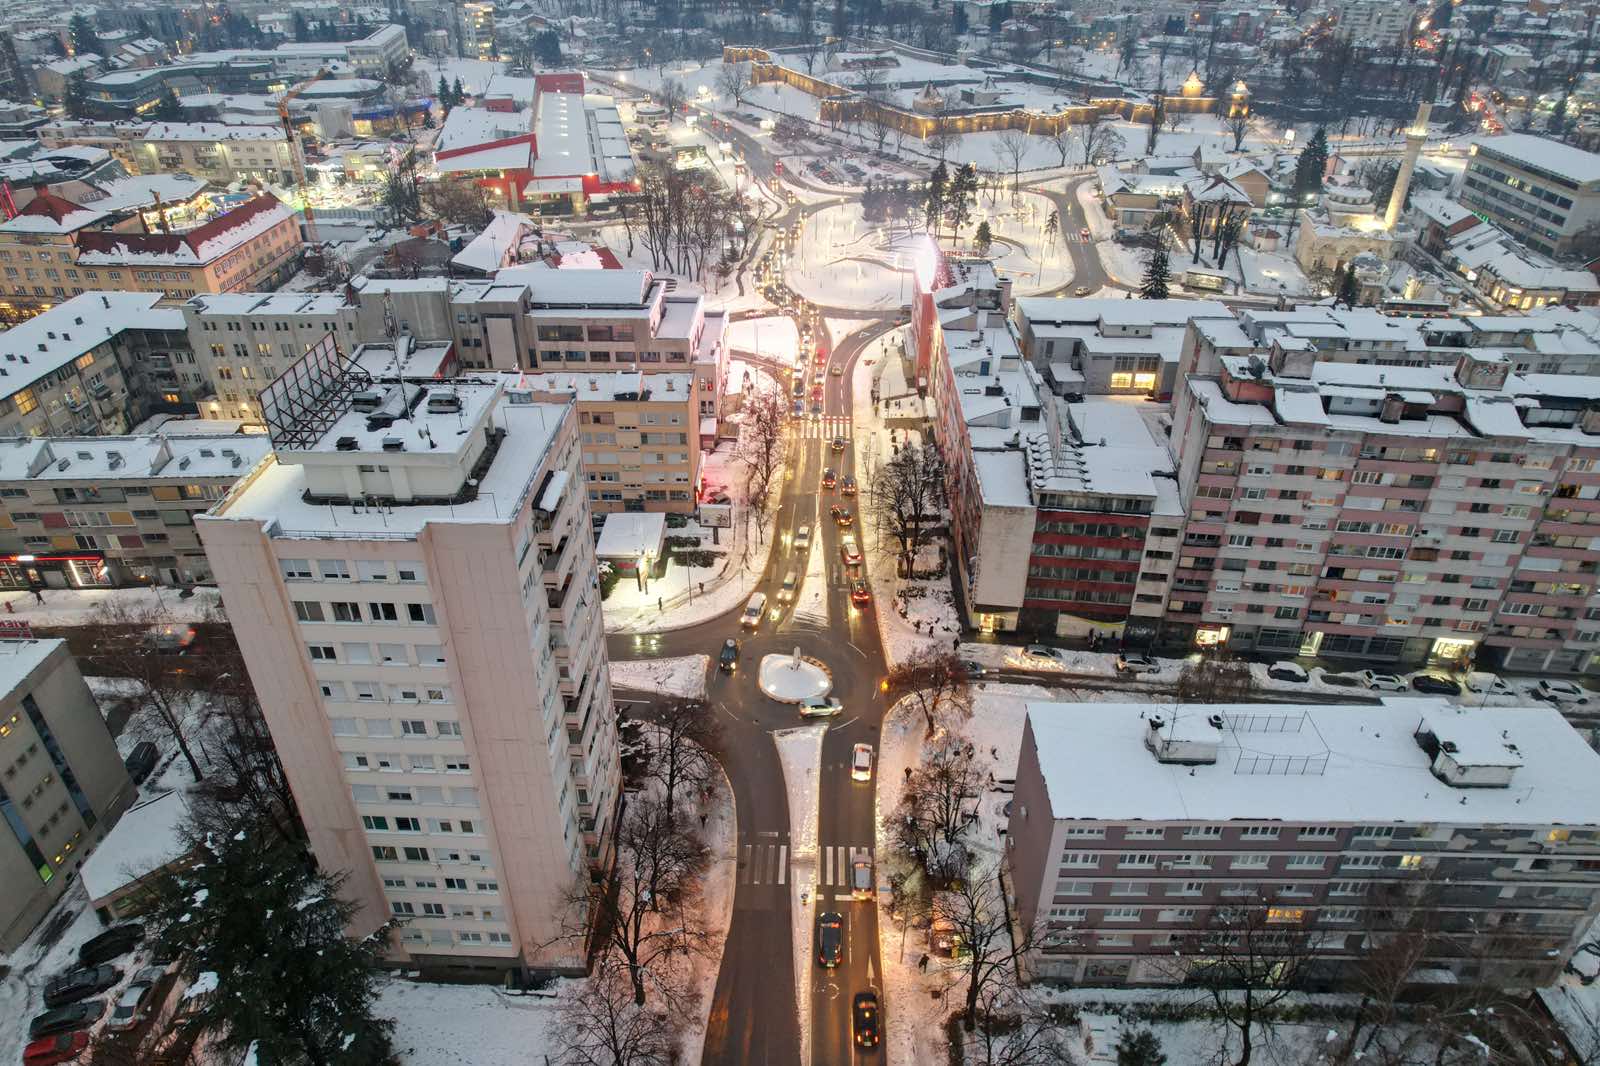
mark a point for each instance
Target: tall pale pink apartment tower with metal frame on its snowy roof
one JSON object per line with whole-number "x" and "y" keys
{"x": 420, "y": 614}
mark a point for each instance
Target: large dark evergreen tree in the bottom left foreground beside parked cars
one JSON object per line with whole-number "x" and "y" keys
{"x": 271, "y": 932}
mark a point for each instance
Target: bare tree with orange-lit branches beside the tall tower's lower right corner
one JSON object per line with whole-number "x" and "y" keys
{"x": 646, "y": 908}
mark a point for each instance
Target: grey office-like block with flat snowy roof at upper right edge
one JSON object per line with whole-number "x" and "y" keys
{"x": 1543, "y": 193}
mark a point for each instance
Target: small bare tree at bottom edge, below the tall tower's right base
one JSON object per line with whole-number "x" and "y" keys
{"x": 602, "y": 1025}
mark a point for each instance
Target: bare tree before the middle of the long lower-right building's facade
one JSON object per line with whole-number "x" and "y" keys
{"x": 1246, "y": 960}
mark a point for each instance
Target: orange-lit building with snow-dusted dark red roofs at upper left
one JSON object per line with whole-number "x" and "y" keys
{"x": 57, "y": 249}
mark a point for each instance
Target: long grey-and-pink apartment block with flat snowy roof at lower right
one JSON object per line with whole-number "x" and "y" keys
{"x": 1137, "y": 828}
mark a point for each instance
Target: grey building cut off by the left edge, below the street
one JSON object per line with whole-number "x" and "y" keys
{"x": 62, "y": 780}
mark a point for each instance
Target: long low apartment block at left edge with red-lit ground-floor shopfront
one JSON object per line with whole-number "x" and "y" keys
{"x": 113, "y": 511}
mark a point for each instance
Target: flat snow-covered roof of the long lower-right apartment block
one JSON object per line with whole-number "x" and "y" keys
{"x": 1313, "y": 764}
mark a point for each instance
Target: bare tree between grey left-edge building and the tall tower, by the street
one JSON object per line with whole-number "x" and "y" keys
{"x": 127, "y": 641}
